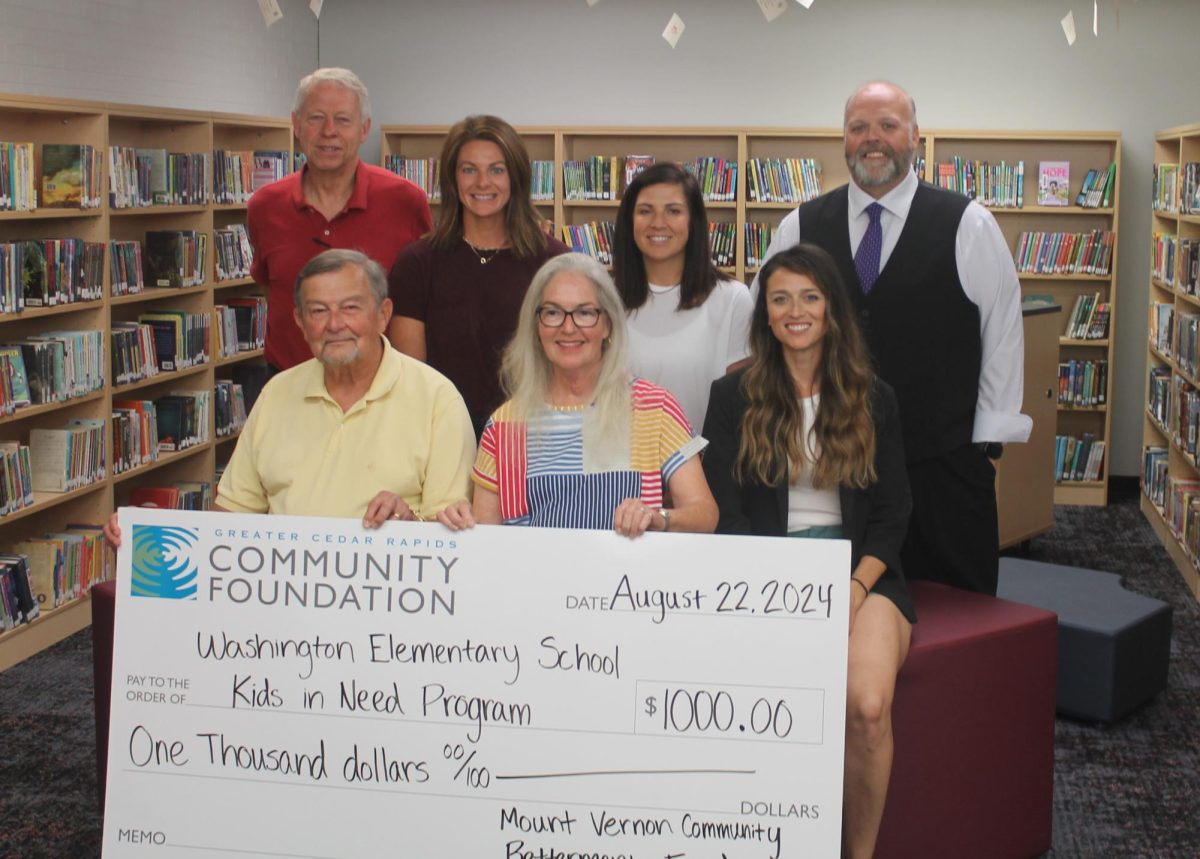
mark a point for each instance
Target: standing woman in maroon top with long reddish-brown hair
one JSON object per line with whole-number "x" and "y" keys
{"x": 458, "y": 291}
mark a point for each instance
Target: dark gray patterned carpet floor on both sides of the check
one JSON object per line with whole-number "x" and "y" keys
{"x": 1127, "y": 790}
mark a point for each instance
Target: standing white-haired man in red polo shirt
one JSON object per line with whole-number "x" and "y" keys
{"x": 337, "y": 201}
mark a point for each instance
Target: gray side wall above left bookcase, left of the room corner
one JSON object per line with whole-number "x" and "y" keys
{"x": 197, "y": 55}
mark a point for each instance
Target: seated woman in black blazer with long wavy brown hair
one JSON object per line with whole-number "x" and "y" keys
{"x": 806, "y": 442}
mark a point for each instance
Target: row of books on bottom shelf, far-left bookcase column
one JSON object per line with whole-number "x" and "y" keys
{"x": 41, "y": 574}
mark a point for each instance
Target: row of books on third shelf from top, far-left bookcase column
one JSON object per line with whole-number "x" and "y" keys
{"x": 55, "y": 367}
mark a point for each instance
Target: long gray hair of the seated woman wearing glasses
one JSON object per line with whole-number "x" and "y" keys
{"x": 526, "y": 371}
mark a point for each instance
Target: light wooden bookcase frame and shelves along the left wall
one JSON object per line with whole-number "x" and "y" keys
{"x": 40, "y": 121}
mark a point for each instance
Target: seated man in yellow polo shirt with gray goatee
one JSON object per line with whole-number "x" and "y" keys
{"x": 361, "y": 430}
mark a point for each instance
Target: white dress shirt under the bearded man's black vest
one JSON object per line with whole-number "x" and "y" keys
{"x": 989, "y": 281}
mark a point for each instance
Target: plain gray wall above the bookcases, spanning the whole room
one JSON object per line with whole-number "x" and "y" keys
{"x": 975, "y": 64}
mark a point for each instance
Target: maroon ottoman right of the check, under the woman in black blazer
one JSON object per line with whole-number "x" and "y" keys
{"x": 974, "y": 724}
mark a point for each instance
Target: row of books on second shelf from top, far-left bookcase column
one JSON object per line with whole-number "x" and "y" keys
{"x": 46, "y": 273}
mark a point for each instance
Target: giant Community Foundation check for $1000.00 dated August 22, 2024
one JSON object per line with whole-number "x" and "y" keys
{"x": 289, "y": 687}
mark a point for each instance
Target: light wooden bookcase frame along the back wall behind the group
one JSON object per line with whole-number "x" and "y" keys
{"x": 1083, "y": 151}
